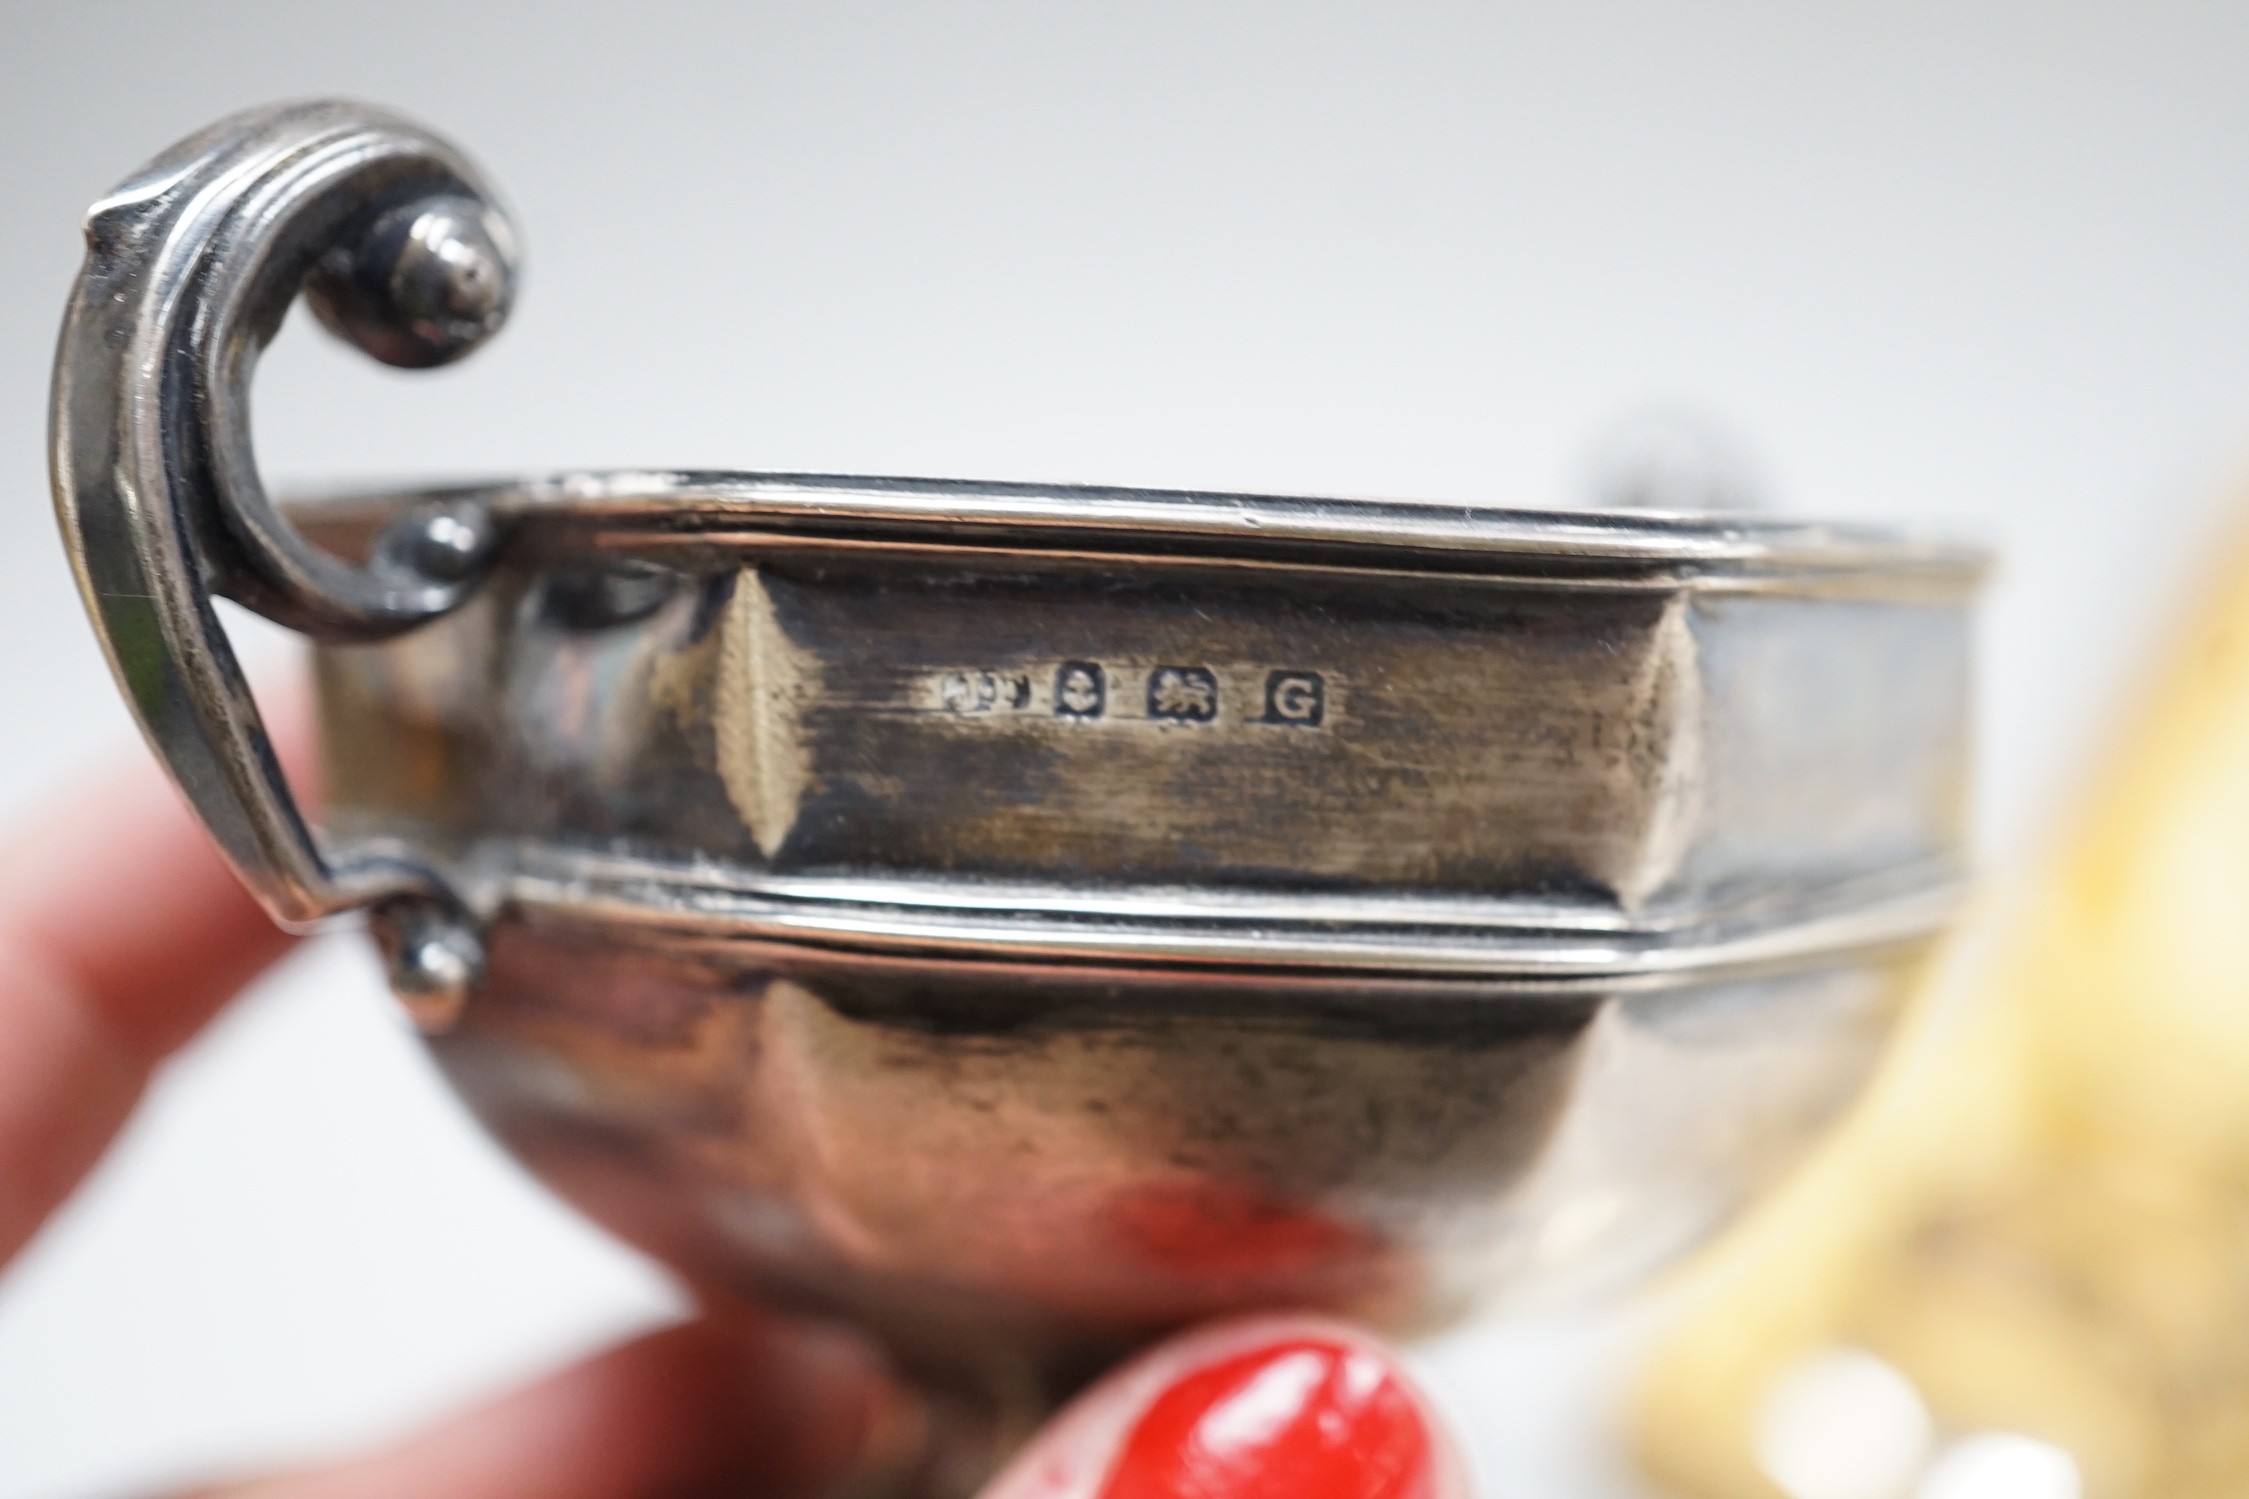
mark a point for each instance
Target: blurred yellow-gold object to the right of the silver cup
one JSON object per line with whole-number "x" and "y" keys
{"x": 2023, "y": 1271}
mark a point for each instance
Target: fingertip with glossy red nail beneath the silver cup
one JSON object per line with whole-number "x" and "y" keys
{"x": 1252, "y": 1410}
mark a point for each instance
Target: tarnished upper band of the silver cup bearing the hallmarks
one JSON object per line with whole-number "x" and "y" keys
{"x": 791, "y": 691}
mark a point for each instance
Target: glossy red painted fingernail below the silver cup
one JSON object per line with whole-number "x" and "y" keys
{"x": 1301, "y": 1419}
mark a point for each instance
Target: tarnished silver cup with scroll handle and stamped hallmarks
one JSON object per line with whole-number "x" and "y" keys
{"x": 1022, "y": 920}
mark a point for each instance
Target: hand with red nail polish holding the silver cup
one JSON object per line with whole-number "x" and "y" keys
{"x": 120, "y": 938}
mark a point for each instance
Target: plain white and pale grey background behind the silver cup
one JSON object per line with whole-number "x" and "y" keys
{"x": 1973, "y": 264}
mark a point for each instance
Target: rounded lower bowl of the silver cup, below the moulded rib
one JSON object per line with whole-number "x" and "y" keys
{"x": 1013, "y": 1172}
